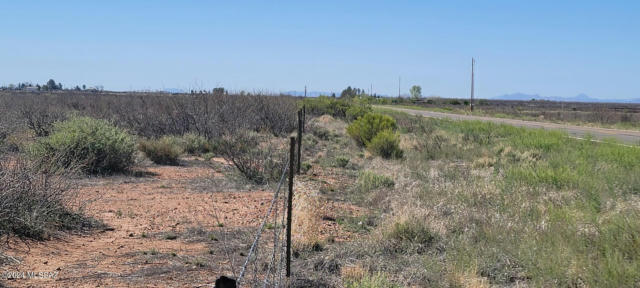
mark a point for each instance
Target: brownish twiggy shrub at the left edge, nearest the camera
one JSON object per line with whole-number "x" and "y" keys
{"x": 34, "y": 203}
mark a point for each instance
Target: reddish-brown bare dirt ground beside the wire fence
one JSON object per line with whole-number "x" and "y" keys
{"x": 162, "y": 231}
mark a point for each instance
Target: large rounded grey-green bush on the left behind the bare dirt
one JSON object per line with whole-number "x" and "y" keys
{"x": 96, "y": 145}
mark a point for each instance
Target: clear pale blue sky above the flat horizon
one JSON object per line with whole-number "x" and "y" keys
{"x": 553, "y": 48}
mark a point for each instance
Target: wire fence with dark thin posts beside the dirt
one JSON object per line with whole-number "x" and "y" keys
{"x": 268, "y": 261}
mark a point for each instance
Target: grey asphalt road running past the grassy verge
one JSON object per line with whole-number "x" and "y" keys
{"x": 624, "y": 136}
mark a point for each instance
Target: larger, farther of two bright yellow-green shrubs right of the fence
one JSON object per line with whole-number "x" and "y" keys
{"x": 368, "y": 126}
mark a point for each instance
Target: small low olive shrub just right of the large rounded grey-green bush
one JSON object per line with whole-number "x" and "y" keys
{"x": 164, "y": 151}
